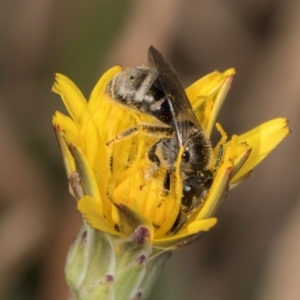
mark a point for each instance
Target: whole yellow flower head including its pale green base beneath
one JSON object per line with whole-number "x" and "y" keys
{"x": 128, "y": 229}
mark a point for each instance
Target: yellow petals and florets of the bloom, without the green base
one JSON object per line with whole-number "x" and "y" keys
{"x": 116, "y": 186}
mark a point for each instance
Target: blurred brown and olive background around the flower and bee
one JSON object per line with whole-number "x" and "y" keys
{"x": 254, "y": 251}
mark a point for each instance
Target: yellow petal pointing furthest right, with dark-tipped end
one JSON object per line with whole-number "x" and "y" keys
{"x": 262, "y": 140}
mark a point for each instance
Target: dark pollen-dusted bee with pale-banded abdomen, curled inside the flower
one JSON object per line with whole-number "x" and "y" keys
{"x": 157, "y": 91}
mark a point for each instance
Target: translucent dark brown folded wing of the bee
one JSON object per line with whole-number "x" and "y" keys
{"x": 168, "y": 81}
